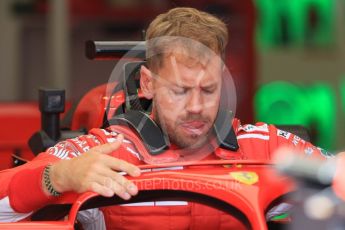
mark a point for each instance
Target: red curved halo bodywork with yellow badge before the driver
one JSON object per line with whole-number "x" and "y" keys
{"x": 244, "y": 189}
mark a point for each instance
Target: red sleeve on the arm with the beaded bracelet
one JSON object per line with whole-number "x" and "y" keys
{"x": 21, "y": 187}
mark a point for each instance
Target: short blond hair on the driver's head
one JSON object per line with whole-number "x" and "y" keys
{"x": 188, "y": 23}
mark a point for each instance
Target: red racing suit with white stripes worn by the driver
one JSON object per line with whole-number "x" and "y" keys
{"x": 21, "y": 187}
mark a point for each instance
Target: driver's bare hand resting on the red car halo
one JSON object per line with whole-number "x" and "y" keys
{"x": 95, "y": 171}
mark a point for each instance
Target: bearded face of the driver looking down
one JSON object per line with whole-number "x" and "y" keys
{"x": 186, "y": 95}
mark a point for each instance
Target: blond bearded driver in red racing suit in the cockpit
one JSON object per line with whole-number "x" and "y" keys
{"x": 186, "y": 98}
